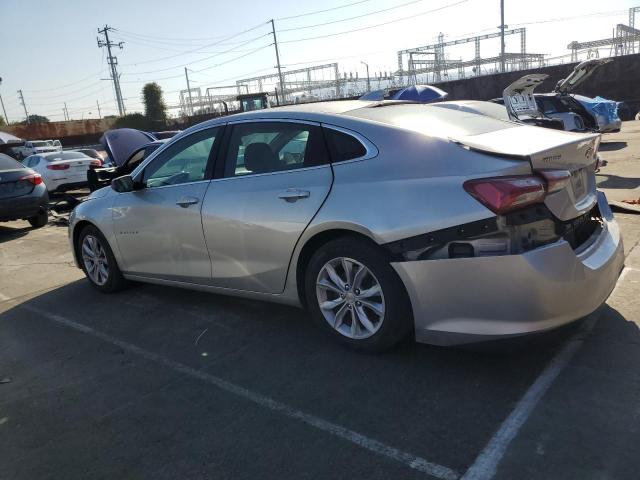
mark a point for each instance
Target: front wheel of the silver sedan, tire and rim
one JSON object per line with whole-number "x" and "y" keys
{"x": 113, "y": 280}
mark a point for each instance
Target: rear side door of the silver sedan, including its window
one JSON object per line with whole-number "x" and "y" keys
{"x": 275, "y": 177}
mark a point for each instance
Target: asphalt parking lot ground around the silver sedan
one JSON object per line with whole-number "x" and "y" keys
{"x": 157, "y": 383}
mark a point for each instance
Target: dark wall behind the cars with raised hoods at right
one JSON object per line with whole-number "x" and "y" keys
{"x": 618, "y": 80}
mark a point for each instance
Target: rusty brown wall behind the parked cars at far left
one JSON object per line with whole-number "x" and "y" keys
{"x": 75, "y": 132}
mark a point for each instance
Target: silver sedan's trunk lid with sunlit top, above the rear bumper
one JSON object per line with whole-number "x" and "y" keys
{"x": 547, "y": 149}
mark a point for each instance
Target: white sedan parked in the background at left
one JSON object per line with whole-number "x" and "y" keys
{"x": 62, "y": 170}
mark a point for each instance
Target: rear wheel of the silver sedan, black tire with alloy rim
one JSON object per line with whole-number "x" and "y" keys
{"x": 378, "y": 328}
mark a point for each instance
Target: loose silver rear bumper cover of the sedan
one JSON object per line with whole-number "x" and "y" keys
{"x": 466, "y": 300}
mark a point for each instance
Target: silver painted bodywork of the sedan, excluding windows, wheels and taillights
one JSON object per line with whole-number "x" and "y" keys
{"x": 249, "y": 241}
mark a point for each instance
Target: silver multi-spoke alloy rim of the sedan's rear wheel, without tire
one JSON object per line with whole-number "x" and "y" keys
{"x": 350, "y": 298}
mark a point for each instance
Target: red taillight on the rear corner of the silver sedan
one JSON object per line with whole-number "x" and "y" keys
{"x": 503, "y": 194}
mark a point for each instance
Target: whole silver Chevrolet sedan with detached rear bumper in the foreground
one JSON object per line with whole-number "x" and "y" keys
{"x": 381, "y": 218}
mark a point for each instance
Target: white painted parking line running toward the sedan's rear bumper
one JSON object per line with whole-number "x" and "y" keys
{"x": 486, "y": 464}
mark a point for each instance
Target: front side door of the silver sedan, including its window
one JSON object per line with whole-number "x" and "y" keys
{"x": 158, "y": 226}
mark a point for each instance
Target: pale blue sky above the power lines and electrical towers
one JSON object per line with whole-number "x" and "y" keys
{"x": 48, "y": 49}
